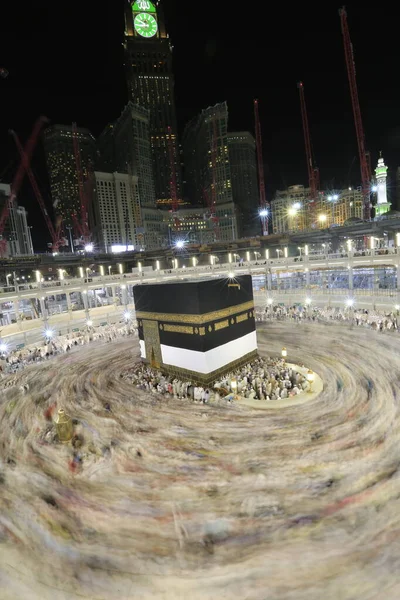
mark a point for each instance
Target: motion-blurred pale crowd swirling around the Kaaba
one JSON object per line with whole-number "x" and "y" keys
{"x": 165, "y": 498}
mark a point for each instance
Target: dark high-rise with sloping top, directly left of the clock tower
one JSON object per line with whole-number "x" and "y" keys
{"x": 124, "y": 146}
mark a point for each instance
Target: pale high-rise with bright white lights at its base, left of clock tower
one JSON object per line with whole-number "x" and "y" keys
{"x": 116, "y": 211}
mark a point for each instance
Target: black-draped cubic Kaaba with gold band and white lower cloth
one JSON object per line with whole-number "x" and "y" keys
{"x": 197, "y": 329}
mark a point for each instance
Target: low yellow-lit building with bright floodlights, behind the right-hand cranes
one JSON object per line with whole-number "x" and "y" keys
{"x": 291, "y": 209}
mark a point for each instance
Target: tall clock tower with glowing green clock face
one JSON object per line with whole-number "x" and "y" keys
{"x": 148, "y": 62}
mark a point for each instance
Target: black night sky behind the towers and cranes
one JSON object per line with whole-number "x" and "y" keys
{"x": 65, "y": 60}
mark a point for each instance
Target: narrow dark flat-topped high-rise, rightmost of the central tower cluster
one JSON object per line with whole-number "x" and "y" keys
{"x": 243, "y": 164}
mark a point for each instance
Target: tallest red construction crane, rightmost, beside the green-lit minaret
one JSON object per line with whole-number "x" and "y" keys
{"x": 363, "y": 154}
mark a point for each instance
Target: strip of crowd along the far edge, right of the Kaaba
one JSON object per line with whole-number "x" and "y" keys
{"x": 370, "y": 319}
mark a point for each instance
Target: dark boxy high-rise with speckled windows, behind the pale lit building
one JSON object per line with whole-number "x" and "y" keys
{"x": 58, "y": 143}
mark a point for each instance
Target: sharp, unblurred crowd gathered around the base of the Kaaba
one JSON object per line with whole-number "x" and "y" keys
{"x": 265, "y": 379}
